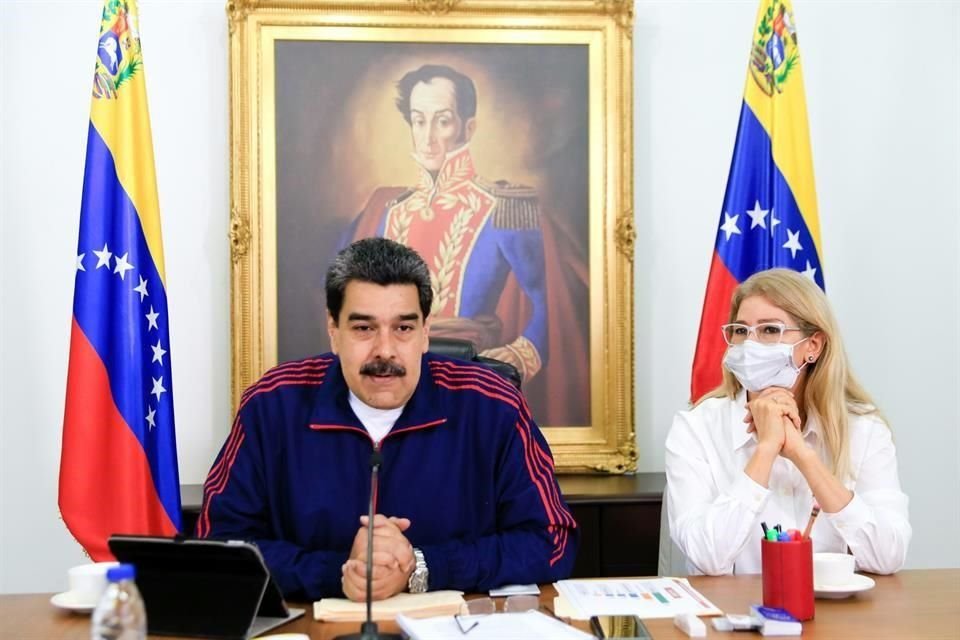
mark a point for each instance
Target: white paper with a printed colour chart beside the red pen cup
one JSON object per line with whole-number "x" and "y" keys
{"x": 647, "y": 598}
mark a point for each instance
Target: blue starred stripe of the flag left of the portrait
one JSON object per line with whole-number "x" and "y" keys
{"x": 110, "y": 313}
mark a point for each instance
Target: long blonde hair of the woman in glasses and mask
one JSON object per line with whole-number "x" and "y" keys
{"x": 831, "y": 391}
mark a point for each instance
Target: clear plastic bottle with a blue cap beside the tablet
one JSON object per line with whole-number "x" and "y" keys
{"x": 120, "y": 614}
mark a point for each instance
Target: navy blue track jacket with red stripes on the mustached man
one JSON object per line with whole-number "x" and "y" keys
{"x": 465, "y": 462}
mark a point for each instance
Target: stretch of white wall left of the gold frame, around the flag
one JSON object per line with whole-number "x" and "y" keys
{"x": 44, "y": 118}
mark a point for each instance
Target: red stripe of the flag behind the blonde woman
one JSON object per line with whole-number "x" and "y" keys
{"x": 707, "y": 373}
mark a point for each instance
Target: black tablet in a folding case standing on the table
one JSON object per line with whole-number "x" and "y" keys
{"x": 203, "y": 588}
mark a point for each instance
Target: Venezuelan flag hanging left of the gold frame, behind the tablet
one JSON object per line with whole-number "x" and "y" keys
{"x": 118, "y": 466}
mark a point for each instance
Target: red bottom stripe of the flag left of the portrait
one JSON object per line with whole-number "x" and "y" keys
{"x": 105, "y": 481}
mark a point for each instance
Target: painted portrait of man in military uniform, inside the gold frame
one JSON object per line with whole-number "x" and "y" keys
{"x": 475, "y": 156}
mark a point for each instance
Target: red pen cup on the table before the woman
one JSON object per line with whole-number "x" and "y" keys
{"x": 788, "y": 576}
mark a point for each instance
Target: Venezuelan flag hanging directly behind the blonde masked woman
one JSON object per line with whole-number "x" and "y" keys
{"x": 769, "y": 217}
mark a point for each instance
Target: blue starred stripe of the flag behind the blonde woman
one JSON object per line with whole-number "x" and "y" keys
{"x": 755, "y": 178}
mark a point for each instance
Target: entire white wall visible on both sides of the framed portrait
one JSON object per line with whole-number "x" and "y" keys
{"x": 883, "y": 93}
